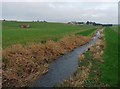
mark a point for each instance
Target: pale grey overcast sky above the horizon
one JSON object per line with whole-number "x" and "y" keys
{"x": 103, "y": 12}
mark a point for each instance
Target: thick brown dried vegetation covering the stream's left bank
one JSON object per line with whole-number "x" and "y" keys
{"x": 23, "y": 64}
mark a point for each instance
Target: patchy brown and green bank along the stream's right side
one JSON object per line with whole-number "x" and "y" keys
{"x": 88, "y": 72}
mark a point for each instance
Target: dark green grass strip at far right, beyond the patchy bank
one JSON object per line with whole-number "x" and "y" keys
{"x": 110, "y": 67}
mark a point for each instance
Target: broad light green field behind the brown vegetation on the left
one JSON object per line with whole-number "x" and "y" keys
{"x": 38, "y": 31}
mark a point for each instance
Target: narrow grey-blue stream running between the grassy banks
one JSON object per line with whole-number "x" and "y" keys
{"x": 63, "y": 67}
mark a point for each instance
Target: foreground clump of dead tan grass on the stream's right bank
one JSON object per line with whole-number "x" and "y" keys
{"x": 79, "y": 78}
